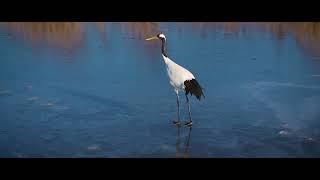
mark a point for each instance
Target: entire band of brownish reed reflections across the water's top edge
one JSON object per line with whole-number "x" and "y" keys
{"x": 71, "y": 34}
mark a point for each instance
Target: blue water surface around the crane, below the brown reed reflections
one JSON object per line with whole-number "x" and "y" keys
{"x": 111, "y": 97}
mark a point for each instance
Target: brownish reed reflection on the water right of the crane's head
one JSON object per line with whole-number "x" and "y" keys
{"x": 307, "y": 34}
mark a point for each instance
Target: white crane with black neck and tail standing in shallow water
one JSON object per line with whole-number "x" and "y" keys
{"x": 180, "y": 78}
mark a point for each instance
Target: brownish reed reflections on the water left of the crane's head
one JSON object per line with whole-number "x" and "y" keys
{"x": 70, "y": 35}
